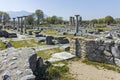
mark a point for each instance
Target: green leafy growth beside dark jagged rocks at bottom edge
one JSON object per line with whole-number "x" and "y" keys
{"x": 58, "y": 73}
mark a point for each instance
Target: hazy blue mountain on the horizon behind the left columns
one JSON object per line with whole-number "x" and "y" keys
{"x": 14, "y": 14}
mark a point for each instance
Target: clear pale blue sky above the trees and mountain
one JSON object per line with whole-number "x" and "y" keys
{"x": 88, "y": 9}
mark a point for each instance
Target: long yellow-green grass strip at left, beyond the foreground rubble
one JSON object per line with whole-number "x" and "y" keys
{"x": 25, "y": 43}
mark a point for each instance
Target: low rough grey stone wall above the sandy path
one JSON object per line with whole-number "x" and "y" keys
{"x": 105, "y": 51}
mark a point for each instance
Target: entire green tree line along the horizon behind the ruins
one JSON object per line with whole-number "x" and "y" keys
{"x": 38, "y": 18}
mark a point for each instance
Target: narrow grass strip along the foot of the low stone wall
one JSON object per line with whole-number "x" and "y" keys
{"x": 103, "y": 65}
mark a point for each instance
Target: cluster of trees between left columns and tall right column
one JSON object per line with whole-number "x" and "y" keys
{"x": 39, "y": 18}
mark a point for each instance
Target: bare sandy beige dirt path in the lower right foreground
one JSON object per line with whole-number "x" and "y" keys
{"x": 81, "y": 71}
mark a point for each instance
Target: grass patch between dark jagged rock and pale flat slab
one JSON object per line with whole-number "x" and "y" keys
{"x": 45, "y": 54}
